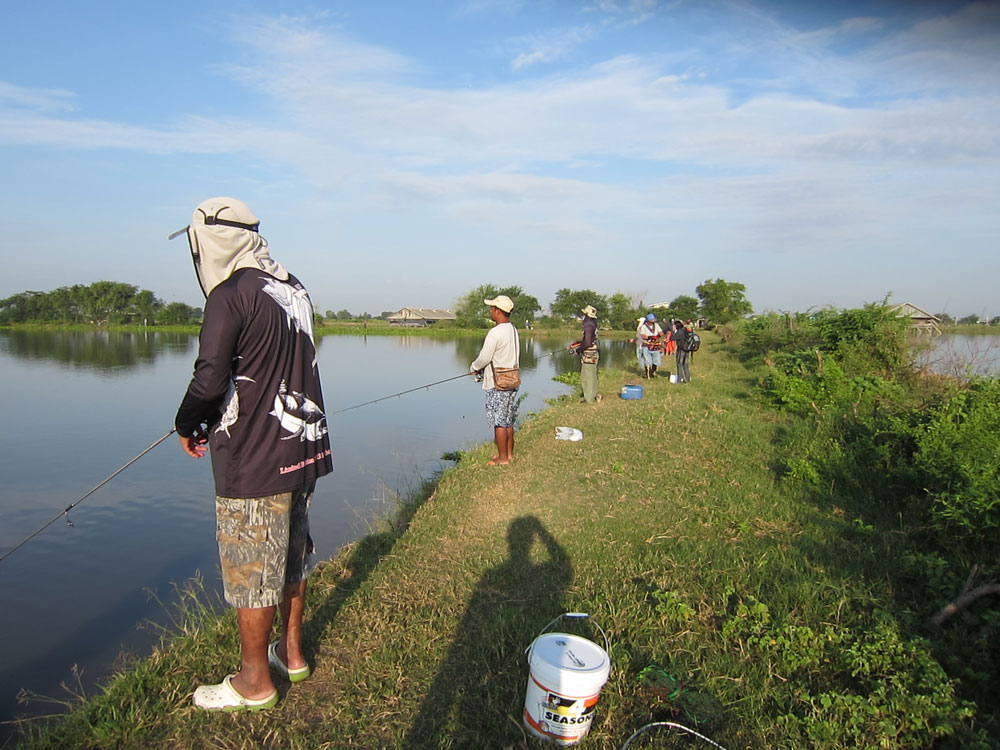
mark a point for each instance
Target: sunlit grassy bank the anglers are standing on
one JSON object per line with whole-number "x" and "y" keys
{"x": 667, "y": 523}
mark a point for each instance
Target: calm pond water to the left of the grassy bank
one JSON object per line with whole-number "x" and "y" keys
{"x": 80, "y": 405}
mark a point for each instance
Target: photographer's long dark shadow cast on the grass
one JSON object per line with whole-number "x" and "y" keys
{"x": 479, "y": 691}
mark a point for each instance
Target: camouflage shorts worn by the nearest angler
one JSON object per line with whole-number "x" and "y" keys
{"x": 264, "y": 544}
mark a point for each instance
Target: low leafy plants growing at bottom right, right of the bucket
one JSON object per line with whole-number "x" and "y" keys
{"x": 847, "y": 686}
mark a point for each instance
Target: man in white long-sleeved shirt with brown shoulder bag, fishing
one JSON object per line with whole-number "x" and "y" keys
{"x": 501, "y": 350}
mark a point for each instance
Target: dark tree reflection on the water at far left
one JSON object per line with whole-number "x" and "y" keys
{"x": 98, "y": 350}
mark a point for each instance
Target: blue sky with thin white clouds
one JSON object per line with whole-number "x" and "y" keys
{"x": 402, "y": 153}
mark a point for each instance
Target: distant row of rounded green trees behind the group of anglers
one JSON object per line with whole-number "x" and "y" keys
{"x": 718, "y": 301}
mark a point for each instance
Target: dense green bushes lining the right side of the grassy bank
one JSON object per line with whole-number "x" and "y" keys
{"x": 921, "y": 453}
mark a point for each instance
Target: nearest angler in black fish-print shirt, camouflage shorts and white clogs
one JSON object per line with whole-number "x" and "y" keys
{"x": 255, "y": 398}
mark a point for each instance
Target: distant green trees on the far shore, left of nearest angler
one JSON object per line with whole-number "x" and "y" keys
{"x": 100, "y": 303}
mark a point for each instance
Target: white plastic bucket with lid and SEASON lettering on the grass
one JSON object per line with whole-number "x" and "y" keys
{"x": 565, "y": 676}
